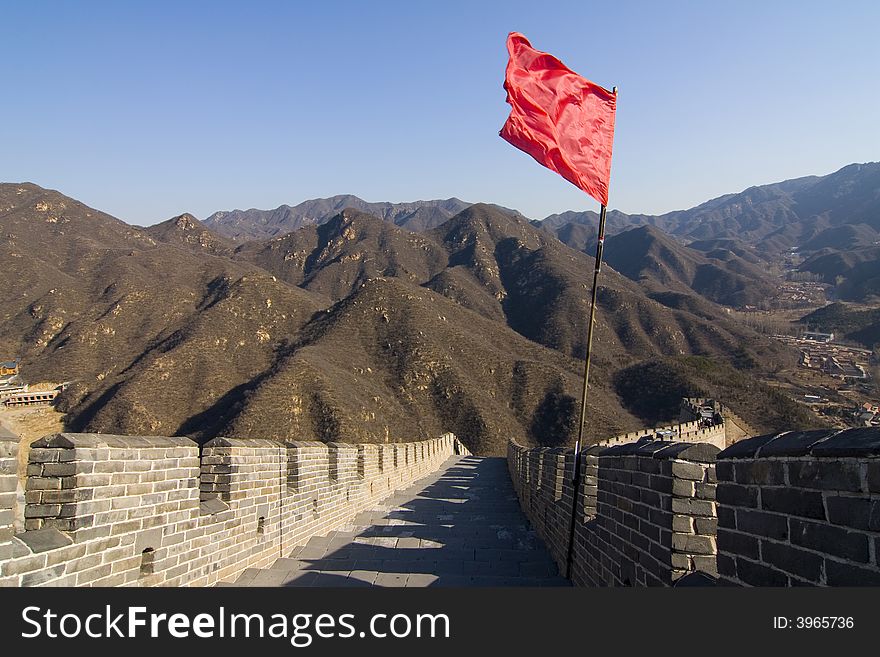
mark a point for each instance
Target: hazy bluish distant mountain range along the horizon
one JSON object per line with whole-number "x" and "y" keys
{"x": 836, "y": 215}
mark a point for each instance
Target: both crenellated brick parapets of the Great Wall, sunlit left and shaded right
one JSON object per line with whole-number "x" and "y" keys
{"x": 797, "y": 508}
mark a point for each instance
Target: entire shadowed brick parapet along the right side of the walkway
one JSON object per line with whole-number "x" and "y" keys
{"x": 792, "y": 509}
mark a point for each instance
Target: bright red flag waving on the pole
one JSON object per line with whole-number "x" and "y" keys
{"x": 562, "y": 120}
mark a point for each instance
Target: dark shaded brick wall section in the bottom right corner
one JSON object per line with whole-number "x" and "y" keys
{"x": 800, "y": 508}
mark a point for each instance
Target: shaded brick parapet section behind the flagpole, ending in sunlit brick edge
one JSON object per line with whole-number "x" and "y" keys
{"x": 644, "y": 514}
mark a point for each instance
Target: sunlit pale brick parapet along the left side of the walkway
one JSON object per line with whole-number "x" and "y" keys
{"x": 106, "y": 510}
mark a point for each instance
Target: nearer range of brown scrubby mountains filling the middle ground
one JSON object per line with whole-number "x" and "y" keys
{"x": 354, "y": 329}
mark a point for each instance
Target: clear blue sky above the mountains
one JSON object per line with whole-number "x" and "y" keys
{"x": 148, "y": 110}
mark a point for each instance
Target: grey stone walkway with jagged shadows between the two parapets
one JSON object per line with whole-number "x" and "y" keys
{"x": 460, "y": 526}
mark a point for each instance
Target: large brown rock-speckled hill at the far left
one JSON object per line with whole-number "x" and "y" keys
{"x": 114, "y": 301}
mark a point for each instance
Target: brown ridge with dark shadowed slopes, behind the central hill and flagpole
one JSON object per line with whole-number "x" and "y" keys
{"x": 541, "y": 288}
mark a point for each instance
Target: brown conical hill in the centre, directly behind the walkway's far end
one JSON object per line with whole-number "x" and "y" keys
{"x": 393, "y": 361}
